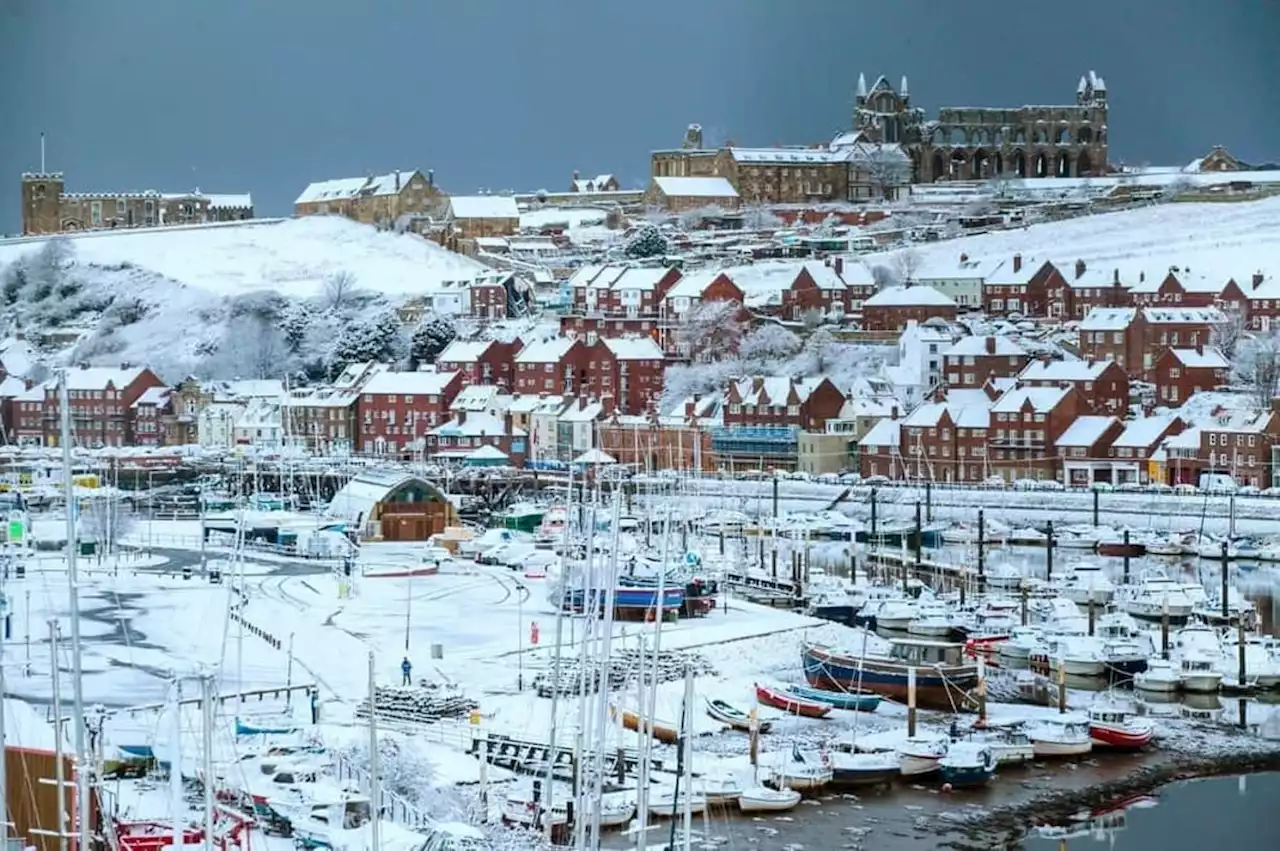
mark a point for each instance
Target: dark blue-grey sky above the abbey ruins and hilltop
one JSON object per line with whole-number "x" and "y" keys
{"x": 267, "y": 95}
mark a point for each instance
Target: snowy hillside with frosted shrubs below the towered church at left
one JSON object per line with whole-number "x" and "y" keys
{"x": 176, "y": 298}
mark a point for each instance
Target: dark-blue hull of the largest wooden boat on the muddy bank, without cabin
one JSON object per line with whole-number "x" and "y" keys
{"x": 936, "y": 687}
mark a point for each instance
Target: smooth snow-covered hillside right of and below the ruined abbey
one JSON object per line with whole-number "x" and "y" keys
{"x": 1219, "y": 240}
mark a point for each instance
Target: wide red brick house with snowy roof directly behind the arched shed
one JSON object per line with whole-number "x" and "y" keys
{"x": 396, "y": 410}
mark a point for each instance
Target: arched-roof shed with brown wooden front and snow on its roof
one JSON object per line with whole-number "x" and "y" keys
{"x": 394, "y": 506}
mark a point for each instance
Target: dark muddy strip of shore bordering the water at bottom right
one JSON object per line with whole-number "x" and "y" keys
{"x": 1009, "y": 823}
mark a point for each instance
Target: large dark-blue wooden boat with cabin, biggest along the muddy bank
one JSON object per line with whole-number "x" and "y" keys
{"x": 944, "y": 676}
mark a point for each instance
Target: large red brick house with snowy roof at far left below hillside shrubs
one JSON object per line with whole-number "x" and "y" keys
{"x": 102, "y": 401}
